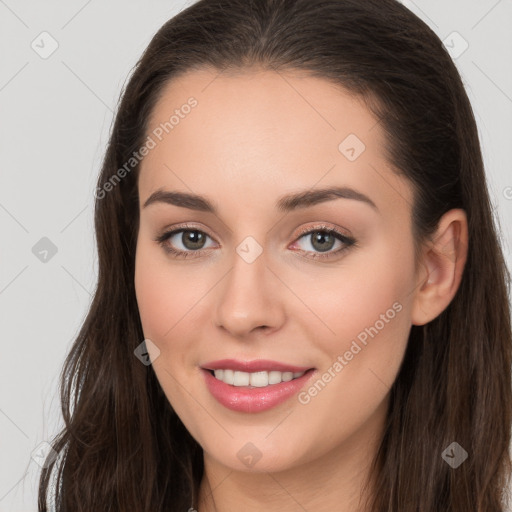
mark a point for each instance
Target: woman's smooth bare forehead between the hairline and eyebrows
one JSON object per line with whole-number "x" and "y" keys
{"x": 264, "y": 131}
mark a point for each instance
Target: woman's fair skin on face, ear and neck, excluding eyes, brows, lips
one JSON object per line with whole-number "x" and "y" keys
{"x": 254, "y": 137}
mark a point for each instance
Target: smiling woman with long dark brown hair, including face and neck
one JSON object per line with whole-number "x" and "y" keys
{"x": 229, "y": 359}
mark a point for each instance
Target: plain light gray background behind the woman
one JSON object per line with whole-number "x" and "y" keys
{"x": 55, "y": 118}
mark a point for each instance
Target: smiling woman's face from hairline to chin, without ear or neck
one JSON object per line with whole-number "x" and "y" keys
{"x": 258, "y": 283}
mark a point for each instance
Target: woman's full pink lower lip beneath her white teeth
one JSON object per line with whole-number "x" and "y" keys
{"x": 245, "y": 399}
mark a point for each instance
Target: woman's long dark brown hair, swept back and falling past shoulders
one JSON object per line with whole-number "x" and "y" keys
{"x": 123, "y": 448}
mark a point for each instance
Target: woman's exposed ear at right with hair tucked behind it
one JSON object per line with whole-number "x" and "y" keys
{"x": 441, "y": 267}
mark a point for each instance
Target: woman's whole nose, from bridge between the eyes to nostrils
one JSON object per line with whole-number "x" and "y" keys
{"x": 248, "y": 300}
